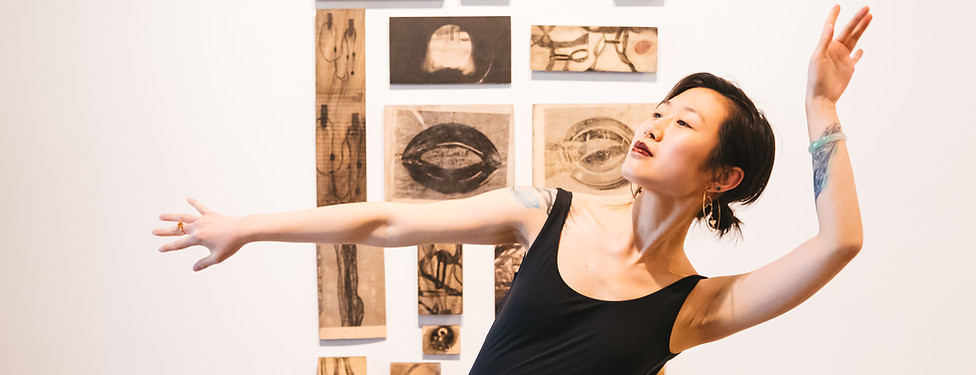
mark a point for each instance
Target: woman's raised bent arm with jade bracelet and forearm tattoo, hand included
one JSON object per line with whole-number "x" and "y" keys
{"x": 738, "y": 302}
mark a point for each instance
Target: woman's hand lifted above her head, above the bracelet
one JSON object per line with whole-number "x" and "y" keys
{"x": 832, "y": 63}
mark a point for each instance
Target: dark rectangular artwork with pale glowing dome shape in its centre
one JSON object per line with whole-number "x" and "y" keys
{"x": 435, "y": 50}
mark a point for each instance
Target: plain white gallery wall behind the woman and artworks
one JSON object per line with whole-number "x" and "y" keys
{"x": 114, "y": 111}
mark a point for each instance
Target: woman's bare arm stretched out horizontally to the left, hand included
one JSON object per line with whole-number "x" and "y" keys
{"x": 500, "y": 216}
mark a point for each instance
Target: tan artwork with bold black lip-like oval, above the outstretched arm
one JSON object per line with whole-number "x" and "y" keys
{"x": 447, "y": 152}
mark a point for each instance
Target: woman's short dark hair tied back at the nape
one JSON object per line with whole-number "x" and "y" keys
{"x": 745, "y": 140}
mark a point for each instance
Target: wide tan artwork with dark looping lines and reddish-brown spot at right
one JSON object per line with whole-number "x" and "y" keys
{"x": 593, "y": 49}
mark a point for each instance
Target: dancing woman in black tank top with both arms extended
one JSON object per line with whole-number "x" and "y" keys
{"x": 607, "y": 288}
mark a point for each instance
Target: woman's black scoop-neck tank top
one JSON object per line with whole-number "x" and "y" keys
{"x": 546, "y": 327}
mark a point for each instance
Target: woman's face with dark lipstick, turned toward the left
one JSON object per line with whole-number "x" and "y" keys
{"x": 670, "y": 151}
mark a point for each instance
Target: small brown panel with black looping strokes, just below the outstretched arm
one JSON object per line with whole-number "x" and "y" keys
{"x": 439, "y": 281}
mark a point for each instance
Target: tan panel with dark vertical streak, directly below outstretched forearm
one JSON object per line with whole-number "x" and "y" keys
{"x": 352, "y": 292}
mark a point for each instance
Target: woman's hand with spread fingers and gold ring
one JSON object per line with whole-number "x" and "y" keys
{"x": 221, "y": 234}
